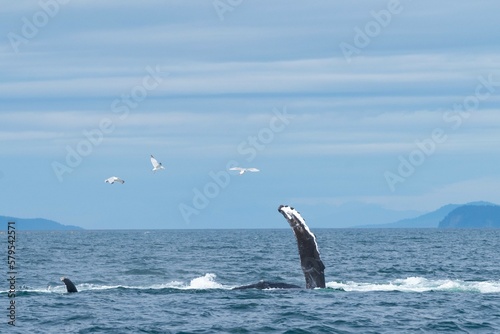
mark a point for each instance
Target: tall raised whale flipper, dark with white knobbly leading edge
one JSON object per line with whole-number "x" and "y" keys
{"x": 312, "y": 266}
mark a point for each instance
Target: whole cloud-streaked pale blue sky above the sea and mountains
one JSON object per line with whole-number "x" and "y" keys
{"x": 354, "y": 112}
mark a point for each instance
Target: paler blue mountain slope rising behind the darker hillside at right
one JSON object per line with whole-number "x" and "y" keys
{"x": 428, "y": 220}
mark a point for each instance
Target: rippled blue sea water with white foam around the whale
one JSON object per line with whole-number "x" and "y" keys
{"x": 179, "y": 281}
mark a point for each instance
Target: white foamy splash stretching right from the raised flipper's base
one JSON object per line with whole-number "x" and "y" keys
{"x": 419, "y": 284}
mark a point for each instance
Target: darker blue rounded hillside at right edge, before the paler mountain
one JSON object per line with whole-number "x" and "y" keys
{"x": 473, "y": 216}
